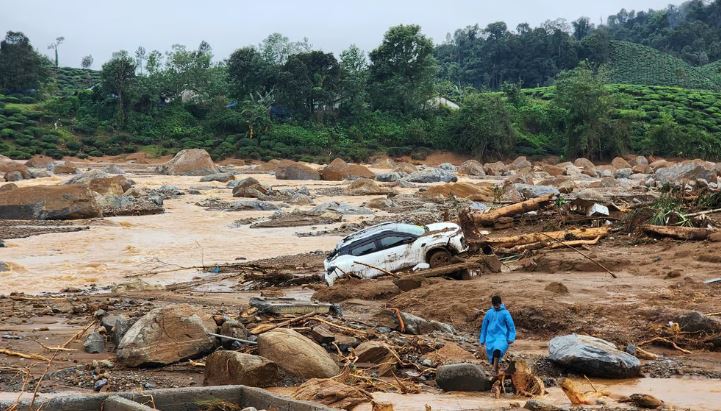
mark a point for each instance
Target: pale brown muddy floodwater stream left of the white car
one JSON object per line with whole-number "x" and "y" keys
{"x": 184, "y": 236}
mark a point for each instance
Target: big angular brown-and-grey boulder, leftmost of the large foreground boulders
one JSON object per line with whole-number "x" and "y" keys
{"x": 166, "y": 335}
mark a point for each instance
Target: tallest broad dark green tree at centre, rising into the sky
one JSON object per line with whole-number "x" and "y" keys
{"x": 402, "y": 70}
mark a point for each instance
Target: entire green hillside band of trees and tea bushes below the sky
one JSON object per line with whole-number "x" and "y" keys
{"x": 647, "y": 82}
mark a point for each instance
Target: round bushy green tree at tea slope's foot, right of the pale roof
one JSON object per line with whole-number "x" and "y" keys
{"x": 483, "y": 126}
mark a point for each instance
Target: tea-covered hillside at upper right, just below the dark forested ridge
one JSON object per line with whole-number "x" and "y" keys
{"x": 632, "y": 63}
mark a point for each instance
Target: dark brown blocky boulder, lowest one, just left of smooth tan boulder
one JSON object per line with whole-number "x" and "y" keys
{"x": 236, "y": 368}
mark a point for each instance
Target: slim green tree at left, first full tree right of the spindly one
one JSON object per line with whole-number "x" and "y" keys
{"x": 118, "y": 76}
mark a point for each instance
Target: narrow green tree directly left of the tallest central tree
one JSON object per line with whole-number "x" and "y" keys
{"x": 353, "y": 81}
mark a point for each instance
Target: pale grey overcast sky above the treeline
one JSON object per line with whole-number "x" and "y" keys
{"x": 100, "y": 27}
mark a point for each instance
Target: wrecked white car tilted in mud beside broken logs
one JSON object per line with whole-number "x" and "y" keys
{"x": 392, "y": 246}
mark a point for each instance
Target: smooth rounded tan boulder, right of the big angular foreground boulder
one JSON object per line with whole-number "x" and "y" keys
{"x": 296, "y": 354}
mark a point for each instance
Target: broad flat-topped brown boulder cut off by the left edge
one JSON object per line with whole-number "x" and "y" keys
{"x": 49, "y": 203}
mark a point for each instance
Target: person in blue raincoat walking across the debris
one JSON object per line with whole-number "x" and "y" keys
{"x": 497, "y": 332}
